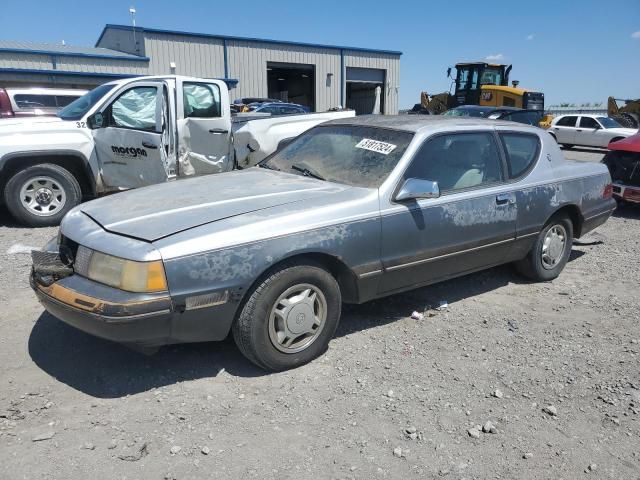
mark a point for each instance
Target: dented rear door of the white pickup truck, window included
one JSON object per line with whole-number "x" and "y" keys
{"x": 204, "y": 127}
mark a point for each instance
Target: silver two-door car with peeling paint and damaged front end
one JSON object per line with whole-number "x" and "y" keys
{"x": 350, "y": 211}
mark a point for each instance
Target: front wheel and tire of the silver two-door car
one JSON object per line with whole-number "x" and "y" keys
{"x": 289, "y": 317}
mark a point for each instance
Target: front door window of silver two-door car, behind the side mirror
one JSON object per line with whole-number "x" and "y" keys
{"x": 458, "y": 161}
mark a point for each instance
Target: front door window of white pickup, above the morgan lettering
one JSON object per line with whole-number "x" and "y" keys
{"x": 136, "y": 109}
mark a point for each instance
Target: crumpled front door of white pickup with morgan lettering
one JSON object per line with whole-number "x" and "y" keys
{"x": 131, "y": 135}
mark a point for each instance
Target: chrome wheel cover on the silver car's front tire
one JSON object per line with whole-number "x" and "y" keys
{"x": 297, "y": 318}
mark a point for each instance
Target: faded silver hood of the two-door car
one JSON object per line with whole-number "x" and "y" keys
{"x": 162, "y": 210}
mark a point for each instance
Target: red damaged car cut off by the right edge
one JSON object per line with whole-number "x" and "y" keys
{"x": 623, "y": 162}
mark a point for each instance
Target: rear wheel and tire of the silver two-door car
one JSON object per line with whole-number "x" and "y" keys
{"x": 550, "y": 253}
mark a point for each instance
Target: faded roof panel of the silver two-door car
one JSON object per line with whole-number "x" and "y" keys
{"x": 417, "y": 123}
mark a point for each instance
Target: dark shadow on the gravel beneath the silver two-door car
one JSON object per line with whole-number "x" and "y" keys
{"x": 108, "y": 370}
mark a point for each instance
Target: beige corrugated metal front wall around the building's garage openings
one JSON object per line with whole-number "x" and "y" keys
{"x": 247, "y": 62}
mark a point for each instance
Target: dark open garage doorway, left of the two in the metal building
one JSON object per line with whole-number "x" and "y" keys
{"x": 292, "y": 82}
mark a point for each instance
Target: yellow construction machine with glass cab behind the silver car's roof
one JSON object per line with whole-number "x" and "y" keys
{"x": 479, "y": 83}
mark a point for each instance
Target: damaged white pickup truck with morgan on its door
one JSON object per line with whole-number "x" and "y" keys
{"x": 131, "y": 133}
